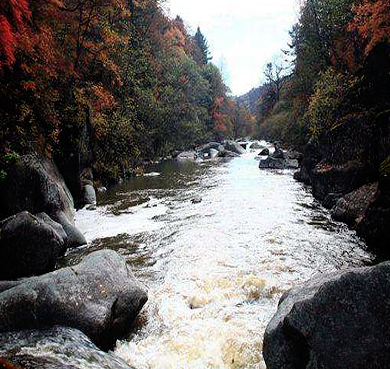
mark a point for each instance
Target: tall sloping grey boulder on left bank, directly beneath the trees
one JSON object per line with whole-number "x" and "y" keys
{"x": 34, "y": 184}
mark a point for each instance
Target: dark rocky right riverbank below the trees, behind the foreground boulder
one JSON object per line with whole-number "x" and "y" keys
{"x": 356, "y": 194}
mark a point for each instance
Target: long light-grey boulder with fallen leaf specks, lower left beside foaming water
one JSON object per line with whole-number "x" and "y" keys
{"x": 99, "y": 296}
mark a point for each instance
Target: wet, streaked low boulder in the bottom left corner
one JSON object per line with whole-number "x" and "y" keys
{"x": 55, "y": 348}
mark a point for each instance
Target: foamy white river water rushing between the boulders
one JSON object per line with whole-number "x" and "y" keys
{"x": 214, "y": 269}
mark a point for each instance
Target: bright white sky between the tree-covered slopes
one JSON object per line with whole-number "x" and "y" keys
{"x": 243, "y": 35}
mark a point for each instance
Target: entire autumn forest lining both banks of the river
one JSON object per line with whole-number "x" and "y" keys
{"x": 112, "y": 83}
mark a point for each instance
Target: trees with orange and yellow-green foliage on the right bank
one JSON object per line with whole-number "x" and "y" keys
{"x": 338, "y": 91}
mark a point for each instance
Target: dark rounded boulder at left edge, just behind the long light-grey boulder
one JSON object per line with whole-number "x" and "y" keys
{"x": 28, "y": 246}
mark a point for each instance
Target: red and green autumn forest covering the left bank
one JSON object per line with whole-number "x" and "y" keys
{"x": 107, "y": 84}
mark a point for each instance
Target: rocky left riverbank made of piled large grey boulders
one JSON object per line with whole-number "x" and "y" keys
{"x": 91, "y": 305}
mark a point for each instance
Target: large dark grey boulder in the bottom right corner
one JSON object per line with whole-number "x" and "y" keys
{"x": 335, "y": 321}
